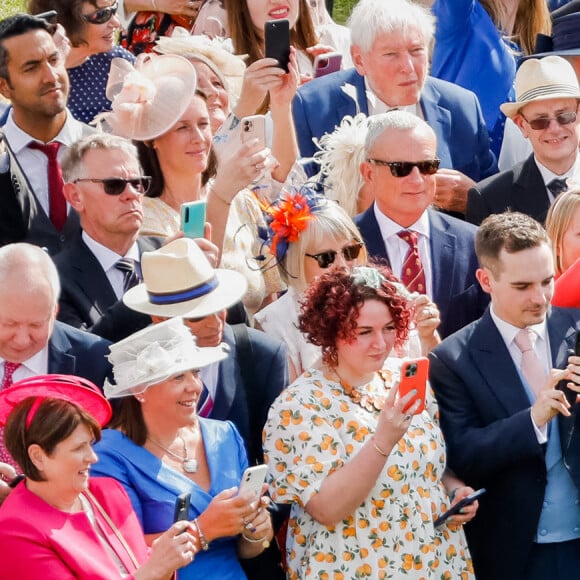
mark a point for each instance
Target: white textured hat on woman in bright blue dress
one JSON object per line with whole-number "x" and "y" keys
{"x": 155, "y": 354}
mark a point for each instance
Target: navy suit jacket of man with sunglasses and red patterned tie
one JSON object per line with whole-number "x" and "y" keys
{"x": 456, "y": 290}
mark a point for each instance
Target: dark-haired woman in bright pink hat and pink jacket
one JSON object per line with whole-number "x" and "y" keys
{"x": 59, "y": 522}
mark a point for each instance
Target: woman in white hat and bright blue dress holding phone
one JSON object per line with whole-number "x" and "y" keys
{"x": 158, "y": 448}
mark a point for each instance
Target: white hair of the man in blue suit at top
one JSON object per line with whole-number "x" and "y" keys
{"x": 370, "y": 18}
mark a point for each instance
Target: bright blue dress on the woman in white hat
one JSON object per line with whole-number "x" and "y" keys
{"x": 153, "y": 488}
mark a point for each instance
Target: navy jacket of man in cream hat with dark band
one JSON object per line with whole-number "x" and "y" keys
{"x": 268, "y": 361}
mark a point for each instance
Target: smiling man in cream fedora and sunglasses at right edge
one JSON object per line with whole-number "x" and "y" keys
{"x": 546, "y": 112}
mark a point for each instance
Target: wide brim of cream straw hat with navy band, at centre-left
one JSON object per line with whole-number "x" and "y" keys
{"x": 230, "y": 289}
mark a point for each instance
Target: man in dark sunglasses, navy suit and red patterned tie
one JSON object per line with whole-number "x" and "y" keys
{"x": 431, "y": 252}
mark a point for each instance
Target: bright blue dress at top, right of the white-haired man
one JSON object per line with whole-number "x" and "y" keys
{"x": 471, "y": 52}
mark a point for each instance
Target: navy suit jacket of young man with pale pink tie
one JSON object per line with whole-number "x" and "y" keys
{"x": 491, "y": 442}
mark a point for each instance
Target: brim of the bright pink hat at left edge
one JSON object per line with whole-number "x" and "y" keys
{"x": 56, "y": 387}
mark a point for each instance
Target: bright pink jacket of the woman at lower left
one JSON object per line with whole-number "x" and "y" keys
{"x": 39, "y": 541}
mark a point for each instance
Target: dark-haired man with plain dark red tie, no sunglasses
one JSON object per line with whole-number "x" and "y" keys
{"x": 37, "y": 133}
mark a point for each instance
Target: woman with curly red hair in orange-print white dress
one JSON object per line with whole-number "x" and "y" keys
{"x": 365, "y": 475}
